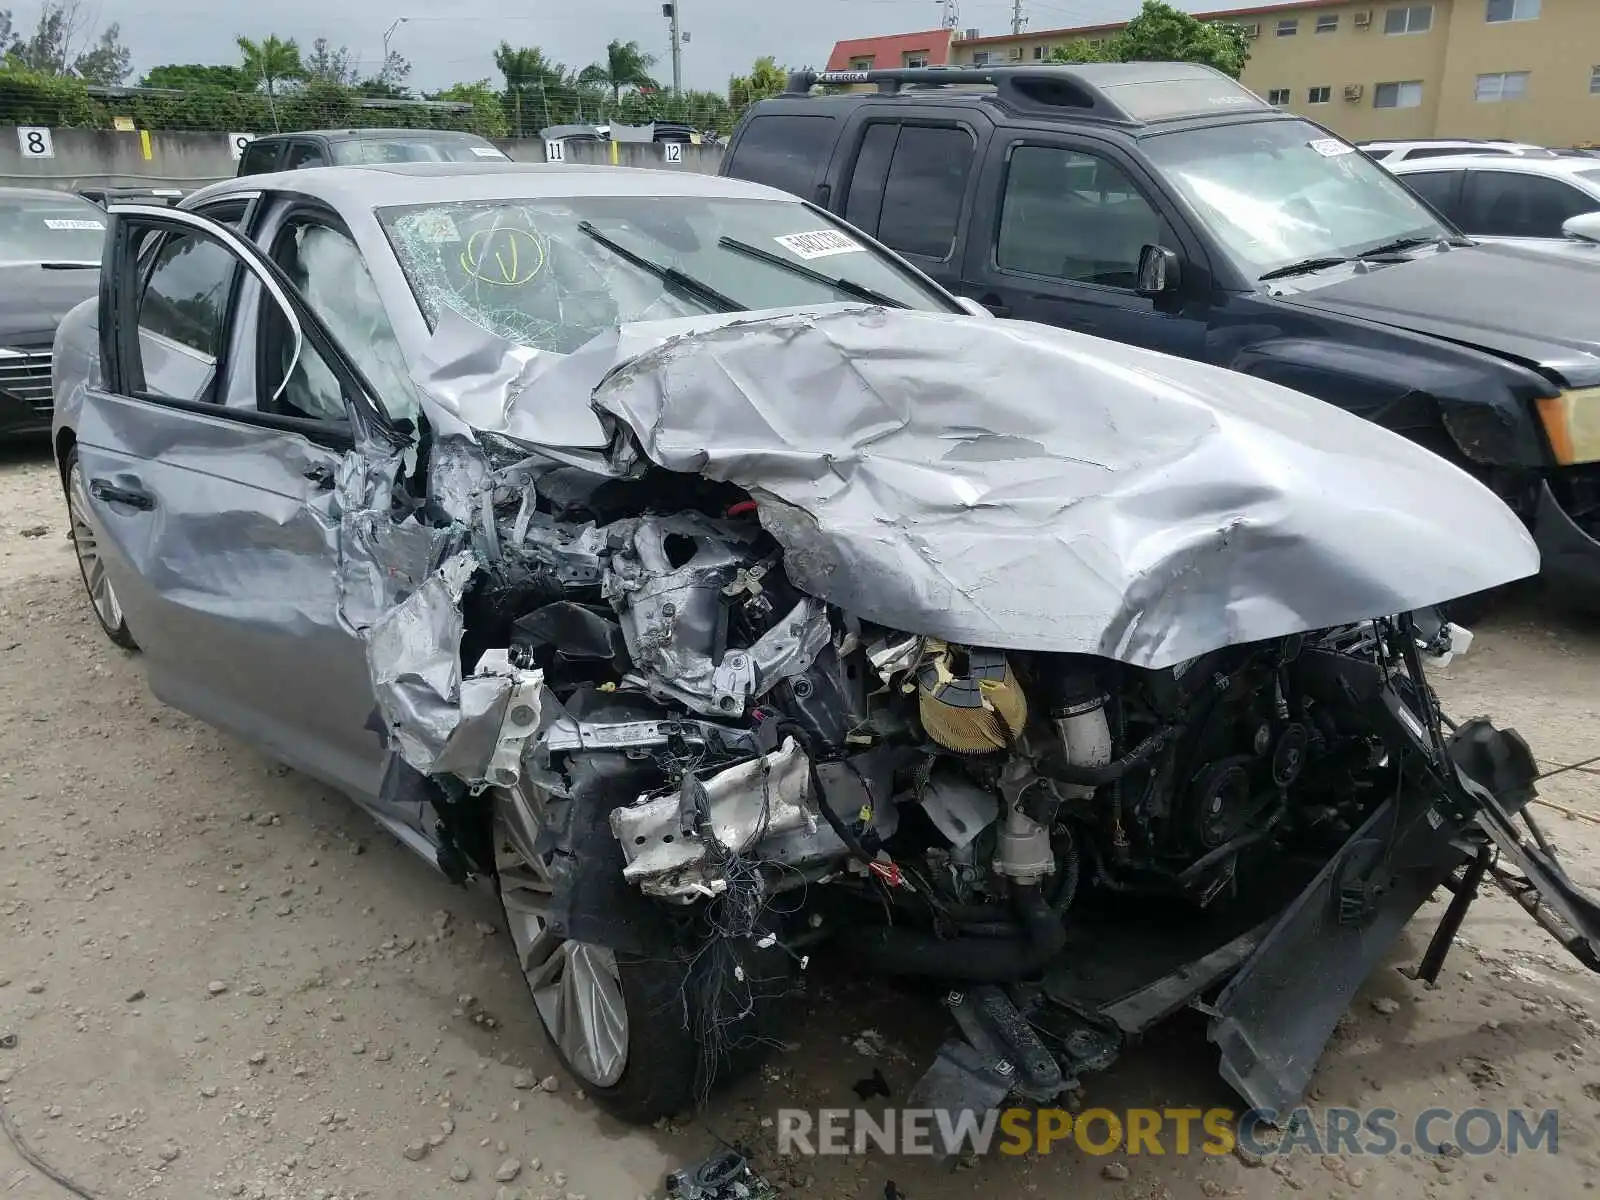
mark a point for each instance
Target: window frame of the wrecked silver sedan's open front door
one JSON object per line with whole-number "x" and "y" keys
{"x": 119, "y": 338}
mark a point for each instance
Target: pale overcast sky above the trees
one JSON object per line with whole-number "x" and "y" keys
{"x": 450, "y": 41}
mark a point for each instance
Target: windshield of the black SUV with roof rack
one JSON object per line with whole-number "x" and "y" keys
{"x": 1281, "y": 193}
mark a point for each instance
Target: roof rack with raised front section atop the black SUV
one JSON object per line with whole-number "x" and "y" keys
{"x": 1129, "y": 94}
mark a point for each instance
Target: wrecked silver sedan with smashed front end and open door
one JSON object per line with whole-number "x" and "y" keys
{"x": 714, "y": 583}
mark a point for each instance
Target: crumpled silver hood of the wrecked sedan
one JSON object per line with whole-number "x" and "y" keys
{"x": 1022, "y": 487}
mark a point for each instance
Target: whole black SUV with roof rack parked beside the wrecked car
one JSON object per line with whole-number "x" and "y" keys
{"x": 1170, "y": 207}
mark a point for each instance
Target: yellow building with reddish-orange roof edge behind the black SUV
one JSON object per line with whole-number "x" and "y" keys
{"x": 1522, "y": 70}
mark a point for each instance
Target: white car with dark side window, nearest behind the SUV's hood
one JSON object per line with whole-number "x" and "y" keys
{"x": 1506, "y": 199}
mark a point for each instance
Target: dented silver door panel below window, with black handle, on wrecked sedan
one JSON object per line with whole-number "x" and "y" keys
{"x": 230, "y": 580}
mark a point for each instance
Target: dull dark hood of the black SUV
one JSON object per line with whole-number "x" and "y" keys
{"x": 1463, "y": 295}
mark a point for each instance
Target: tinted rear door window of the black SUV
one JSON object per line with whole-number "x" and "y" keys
{"x": 924, "y": 191}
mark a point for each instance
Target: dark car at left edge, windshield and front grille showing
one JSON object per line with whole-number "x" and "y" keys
{"x": 50, "y": 254}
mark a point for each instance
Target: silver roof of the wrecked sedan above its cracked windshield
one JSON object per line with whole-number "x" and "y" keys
{"x": 385, "y": 185}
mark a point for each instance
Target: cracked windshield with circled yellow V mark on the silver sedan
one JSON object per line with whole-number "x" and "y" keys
{"x": 554, "y": 273}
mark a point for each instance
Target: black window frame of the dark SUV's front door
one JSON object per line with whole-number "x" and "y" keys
{"x": 998, "y": 172}
